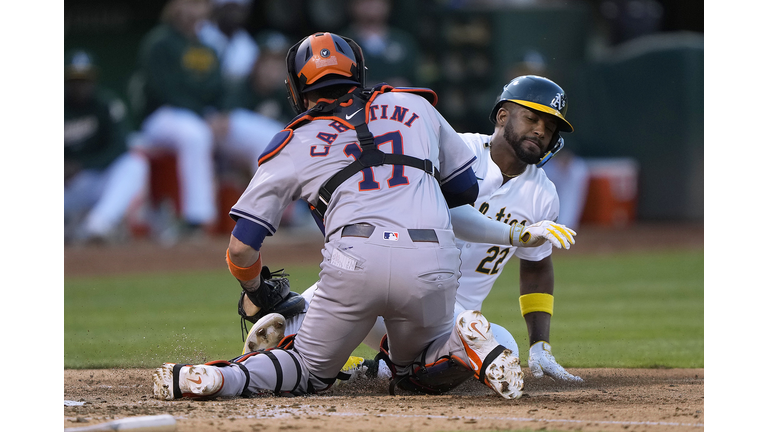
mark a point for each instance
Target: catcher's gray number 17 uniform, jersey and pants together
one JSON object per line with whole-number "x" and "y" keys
{"x": 409, "y": 281}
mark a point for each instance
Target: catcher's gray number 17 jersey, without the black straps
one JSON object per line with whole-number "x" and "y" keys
{"x": 383, "y": 196}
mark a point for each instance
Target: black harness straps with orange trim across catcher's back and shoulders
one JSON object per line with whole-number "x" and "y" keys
{"x": 352, "y": 111}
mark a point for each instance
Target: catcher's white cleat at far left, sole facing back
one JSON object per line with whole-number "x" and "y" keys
{"x": 174, "y": 381}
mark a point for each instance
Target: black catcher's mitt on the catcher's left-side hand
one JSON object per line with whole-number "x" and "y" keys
{"x": 274, "y": 295}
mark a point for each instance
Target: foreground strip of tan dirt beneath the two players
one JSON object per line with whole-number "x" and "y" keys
{"x": 609, "y": 400}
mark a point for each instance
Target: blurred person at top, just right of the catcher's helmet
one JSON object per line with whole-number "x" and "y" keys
{"x": 391, "y": 54}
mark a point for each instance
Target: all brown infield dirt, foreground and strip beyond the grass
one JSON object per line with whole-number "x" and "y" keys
{"x": 608, "y": 400}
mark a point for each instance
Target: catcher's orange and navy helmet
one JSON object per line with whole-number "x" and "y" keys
{"x": 322, "y": 60}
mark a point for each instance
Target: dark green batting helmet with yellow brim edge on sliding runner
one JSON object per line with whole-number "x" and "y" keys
{"x": 542, "y": 95}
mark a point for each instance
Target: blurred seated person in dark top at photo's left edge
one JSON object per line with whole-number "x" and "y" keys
{"x": 102, "y": 177}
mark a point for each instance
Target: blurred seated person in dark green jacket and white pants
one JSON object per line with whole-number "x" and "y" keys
{"x": 182, "y": 85}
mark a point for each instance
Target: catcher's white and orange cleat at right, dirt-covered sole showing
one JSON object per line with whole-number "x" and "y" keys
{"x": 494, "y": 365}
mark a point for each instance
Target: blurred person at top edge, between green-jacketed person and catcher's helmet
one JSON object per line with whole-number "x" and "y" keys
{"x": 225, "y": 32}
